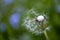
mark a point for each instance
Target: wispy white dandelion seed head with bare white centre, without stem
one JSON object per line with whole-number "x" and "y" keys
{"x": 31, "y": 24}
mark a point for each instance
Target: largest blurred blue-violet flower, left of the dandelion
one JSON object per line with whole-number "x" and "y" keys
{"x": 14, "y": 20}
